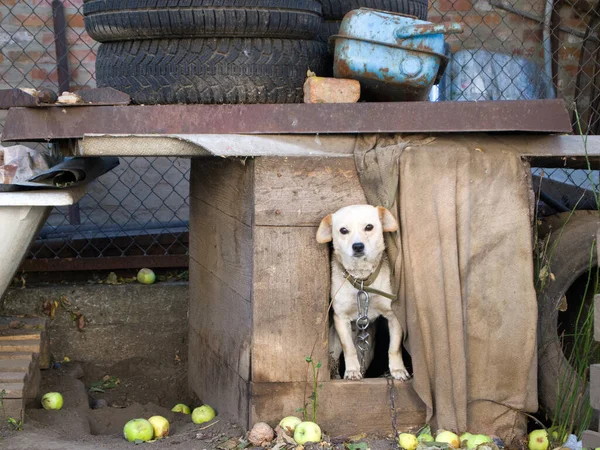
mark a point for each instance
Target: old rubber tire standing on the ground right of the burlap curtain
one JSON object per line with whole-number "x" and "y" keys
{"x": 571, "y": 240}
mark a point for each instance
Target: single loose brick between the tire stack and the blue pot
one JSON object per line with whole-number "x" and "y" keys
{"x": 331, "y": 90}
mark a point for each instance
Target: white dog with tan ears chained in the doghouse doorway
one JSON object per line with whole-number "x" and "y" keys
{"x": 359, "y": 257}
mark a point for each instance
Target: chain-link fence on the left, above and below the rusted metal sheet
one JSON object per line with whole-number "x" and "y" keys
{"x": 140, "y": 210}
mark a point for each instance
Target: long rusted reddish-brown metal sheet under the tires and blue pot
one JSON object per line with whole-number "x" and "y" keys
{"x": 540, "y": 116}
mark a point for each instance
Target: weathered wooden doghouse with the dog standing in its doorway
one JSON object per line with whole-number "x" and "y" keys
{"x": 260, "y": 293}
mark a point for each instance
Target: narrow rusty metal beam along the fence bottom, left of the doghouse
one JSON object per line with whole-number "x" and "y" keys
{"x": 105, "y": 263}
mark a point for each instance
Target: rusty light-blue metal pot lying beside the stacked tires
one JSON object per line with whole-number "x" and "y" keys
{"x": 395, "y": 57}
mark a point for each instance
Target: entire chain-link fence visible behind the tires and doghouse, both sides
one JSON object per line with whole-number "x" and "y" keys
{"x": 509, "y": 50}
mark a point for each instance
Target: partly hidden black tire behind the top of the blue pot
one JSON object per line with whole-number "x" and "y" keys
{"x": 337, "y": 9}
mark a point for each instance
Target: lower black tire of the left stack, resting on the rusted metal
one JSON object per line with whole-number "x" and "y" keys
{"x": 219, "y": 70}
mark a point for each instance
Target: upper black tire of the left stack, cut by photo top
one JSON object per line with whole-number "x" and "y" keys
{"x": 118, "y": 20}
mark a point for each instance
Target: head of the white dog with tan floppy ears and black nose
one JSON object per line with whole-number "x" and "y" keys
{"x": 357, "y": 232}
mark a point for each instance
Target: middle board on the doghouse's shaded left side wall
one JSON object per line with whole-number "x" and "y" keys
{"x": 222, "y": 318}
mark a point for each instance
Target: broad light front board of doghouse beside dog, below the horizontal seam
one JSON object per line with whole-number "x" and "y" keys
{"x": 291, "y": 292}
